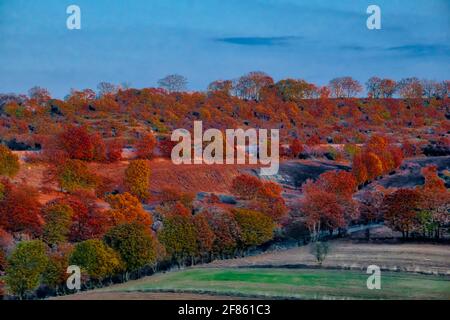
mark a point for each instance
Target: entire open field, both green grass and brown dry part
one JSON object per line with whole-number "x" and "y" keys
{"x": 243, "y": 277}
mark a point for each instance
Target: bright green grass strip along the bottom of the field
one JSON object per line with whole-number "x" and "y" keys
{"x": 293, "y": 283}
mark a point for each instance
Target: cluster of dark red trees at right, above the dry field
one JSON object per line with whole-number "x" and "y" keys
{"x": 328, "y": 204}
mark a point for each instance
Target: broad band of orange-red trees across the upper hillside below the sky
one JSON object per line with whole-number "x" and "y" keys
{"x": 124, "y": 118}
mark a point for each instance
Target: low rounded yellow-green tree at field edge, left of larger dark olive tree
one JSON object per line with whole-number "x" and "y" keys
{"x": 96, "y": 259}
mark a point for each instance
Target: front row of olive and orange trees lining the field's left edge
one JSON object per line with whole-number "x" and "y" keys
{"x": 127, "y": 245}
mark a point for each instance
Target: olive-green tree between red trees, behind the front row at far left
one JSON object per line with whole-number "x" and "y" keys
{"x": 58, "y": 219}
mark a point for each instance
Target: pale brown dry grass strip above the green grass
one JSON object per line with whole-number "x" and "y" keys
{"x": 426, "y": 258}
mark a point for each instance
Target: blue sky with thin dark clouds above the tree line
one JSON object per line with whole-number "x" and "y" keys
{"x": 140, "y": 41}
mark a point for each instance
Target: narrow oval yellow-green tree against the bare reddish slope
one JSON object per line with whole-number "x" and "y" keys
{"x": 137, "y": 177}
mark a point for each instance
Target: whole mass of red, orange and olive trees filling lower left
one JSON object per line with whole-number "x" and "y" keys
{"x": 72, "y": 229}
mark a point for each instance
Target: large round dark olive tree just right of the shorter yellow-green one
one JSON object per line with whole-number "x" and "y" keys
{"x": 134, "y": 243}
